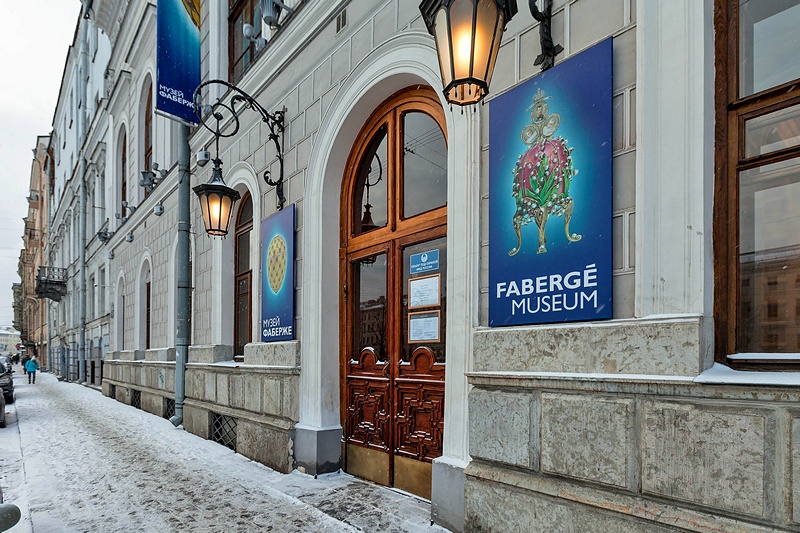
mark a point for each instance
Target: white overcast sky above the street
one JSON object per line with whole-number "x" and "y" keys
{"x": 35, "y": 36}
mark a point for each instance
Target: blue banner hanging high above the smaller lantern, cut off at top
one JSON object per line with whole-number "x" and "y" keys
{"x": 178, "y": 57}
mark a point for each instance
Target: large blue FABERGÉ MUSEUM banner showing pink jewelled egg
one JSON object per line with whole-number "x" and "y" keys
{"x": 550, "y": 180}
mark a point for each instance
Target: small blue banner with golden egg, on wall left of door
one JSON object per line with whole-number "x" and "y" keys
{"x": 277, "y": 271}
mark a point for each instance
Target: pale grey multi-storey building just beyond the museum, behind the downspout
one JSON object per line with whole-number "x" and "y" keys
{"x": 71, "y": 286}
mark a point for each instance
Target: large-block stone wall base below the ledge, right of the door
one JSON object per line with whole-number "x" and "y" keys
{"x": 617, "y": 453}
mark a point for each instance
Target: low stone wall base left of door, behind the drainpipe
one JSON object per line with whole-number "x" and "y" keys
{"x": 261, "y": 395}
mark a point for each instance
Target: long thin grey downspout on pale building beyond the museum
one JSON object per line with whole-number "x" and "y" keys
{"x": 82, "y": 125}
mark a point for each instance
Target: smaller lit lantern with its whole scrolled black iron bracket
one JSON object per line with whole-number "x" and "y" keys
{"x": 222, "y": 119}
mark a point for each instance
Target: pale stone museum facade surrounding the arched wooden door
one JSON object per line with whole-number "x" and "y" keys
{"x": 577, "y": 427}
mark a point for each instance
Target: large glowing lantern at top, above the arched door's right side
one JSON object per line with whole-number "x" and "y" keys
{"x": 468, "y": 35}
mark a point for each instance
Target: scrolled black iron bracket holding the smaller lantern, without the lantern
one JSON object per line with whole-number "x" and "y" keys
{"x": 222, "y": 119}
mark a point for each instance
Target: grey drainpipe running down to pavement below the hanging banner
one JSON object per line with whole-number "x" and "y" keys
{"x": 183, "y": 307}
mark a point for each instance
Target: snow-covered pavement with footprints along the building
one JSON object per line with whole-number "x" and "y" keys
{"x": 76, "y": 461}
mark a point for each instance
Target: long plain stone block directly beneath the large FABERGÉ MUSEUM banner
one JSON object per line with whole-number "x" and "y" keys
{"x": 669, "y": 347}
